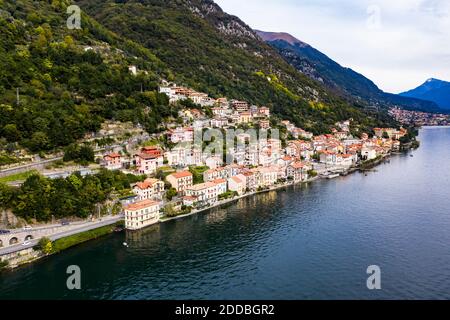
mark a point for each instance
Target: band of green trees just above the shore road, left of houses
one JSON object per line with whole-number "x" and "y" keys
{"x": 41, "y": 198}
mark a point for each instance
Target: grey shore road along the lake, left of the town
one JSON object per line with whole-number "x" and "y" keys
{"x": 85, "y": 227}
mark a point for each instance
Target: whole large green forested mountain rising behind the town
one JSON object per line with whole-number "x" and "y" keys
{"x": 58, "y": 84}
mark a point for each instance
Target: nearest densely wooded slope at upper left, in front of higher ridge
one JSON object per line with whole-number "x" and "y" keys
{"x": 68, "y": 82}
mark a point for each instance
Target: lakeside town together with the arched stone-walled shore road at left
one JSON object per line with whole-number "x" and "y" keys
{"x": 180, "y": 177}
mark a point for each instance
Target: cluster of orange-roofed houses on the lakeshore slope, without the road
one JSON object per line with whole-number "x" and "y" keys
{"x": 183, "y": 179}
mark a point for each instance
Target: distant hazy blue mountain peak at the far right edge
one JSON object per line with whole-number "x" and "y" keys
{"x": 434, "y": 90}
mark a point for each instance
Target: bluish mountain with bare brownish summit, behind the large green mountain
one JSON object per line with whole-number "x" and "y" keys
{"x": 344, "y": 81}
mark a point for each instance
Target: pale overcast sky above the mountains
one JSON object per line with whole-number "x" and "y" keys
{"x": 396, "y": 43}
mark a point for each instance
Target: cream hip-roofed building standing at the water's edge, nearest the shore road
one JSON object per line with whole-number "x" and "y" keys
{"x": 142, "y": 214}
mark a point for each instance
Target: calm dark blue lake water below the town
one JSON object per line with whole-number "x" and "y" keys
{"x": 308, "y": 242}
